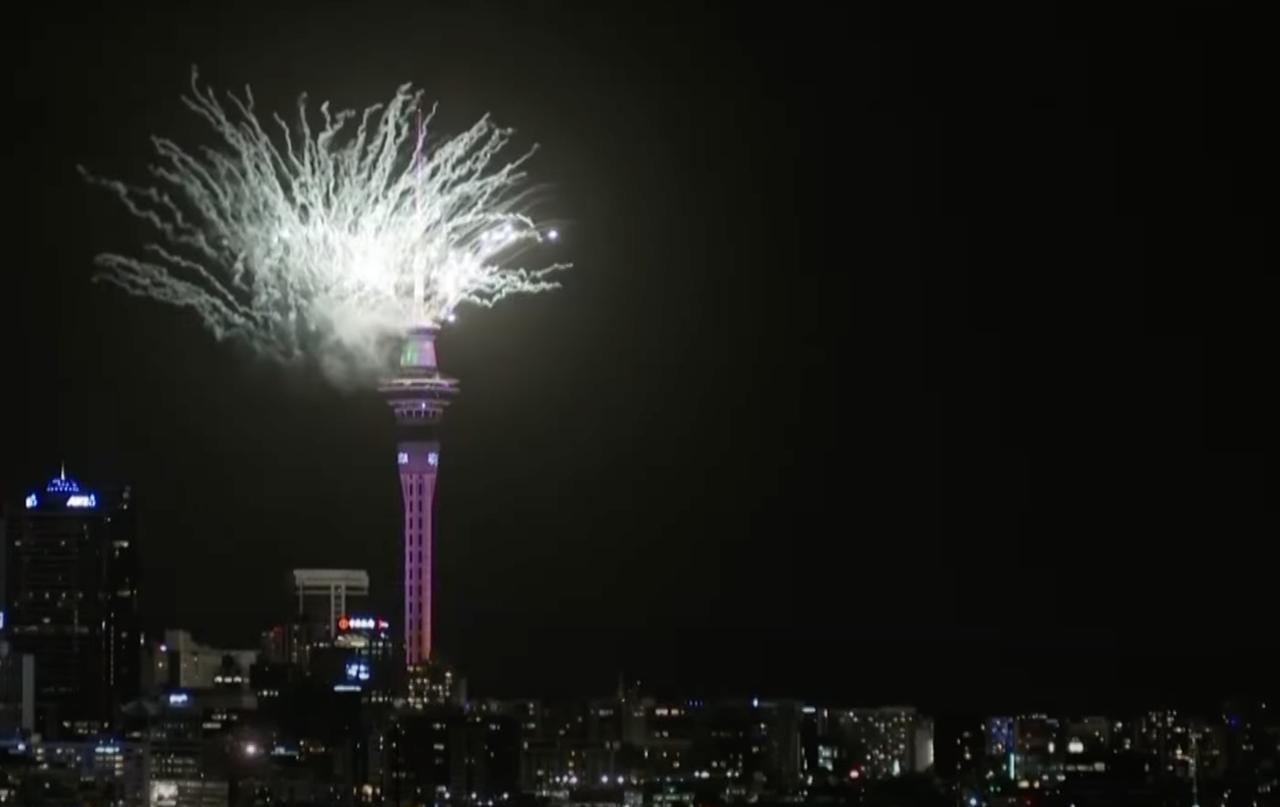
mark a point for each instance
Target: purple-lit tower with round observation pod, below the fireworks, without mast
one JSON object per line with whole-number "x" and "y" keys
{"x": 418, "y": 396}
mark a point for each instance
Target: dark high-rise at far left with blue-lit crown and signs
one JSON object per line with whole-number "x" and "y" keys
{"x": 72, "y": 603}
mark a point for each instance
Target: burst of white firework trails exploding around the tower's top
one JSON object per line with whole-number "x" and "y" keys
{"x": 330, "y": 240}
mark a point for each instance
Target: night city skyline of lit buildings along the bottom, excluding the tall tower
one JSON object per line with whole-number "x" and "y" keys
{"x": 330, "y": 709}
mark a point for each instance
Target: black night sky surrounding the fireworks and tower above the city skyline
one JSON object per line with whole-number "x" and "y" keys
{"x": 924, "y": 361}
